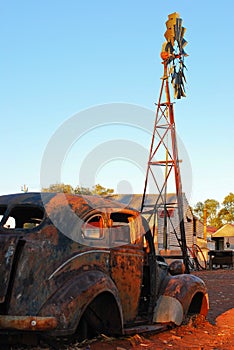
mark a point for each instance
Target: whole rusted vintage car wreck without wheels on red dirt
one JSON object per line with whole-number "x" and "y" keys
{"x": 85, "y": 265}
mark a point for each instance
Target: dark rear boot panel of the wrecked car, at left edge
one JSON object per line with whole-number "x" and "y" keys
{"x": 7, "y": 251}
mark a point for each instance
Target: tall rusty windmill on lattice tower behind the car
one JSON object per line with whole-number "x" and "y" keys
{"x": 163, "y": 150}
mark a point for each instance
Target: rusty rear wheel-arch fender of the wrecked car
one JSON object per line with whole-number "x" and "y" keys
{"x": 69, "y": 302}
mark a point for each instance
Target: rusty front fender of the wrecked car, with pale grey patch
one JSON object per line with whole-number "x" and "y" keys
{"x": 174, "y": 302}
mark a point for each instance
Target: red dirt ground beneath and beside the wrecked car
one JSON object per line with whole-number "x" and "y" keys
{"x": 216, "y": 332}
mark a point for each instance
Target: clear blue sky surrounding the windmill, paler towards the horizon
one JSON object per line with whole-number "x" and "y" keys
{"x": 58, "y": 58}
